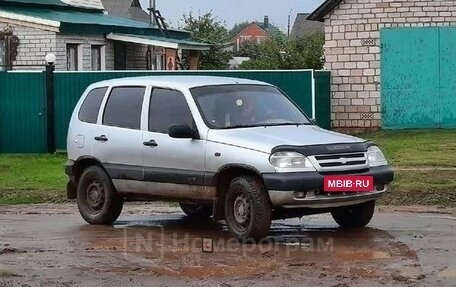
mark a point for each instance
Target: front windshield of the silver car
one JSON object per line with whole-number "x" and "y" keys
{"x": 238, "y": 106}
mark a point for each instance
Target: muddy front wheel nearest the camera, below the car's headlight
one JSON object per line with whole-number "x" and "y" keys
{"x": 248, "y": 210}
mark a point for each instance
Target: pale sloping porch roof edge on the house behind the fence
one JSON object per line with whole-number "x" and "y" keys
{"x": 159, "y": 41}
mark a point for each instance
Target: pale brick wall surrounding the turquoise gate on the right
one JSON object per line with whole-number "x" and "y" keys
{"x": 352, "y": 51}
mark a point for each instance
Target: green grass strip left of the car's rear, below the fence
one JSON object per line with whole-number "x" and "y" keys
{"x": 32, "y": 179}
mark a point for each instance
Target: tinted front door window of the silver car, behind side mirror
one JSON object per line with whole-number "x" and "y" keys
{"x": 167, "y": 108}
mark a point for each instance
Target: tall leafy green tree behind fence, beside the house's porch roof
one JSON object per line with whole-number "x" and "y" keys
{"x": 207, "y": 28}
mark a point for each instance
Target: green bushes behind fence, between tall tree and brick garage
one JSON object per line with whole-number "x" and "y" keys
{"x": 277, "y": 53}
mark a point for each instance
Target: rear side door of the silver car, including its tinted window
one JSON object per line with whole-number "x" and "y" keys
{"x": 118, "y": 141}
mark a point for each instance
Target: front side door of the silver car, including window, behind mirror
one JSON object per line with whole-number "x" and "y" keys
{"x": 170, "y": 160}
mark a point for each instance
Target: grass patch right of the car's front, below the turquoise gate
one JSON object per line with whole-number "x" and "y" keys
{"x": 419, "y": 157}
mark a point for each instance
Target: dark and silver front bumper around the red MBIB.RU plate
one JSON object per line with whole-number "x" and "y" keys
{"x": 305, "y": 190}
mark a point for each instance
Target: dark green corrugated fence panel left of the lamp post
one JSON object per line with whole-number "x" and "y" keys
{"x": 22, "y": 113}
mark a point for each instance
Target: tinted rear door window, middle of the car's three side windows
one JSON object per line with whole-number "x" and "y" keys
{"x": 123, "y": 108}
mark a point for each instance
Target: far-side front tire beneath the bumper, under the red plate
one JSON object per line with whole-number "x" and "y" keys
{"x": 354, "y": 216}
